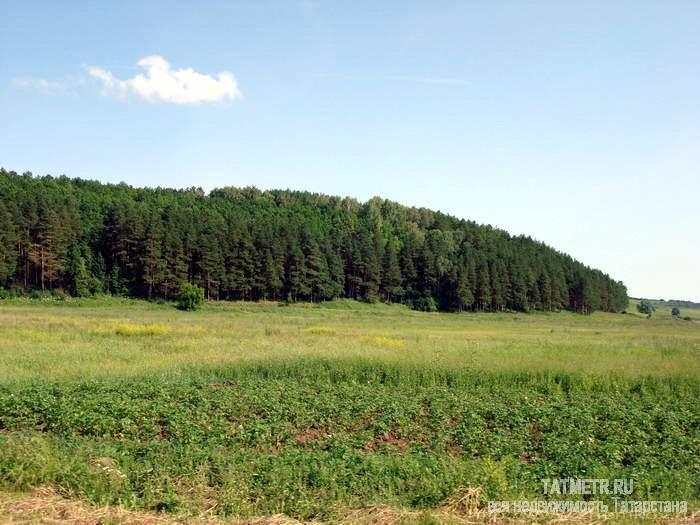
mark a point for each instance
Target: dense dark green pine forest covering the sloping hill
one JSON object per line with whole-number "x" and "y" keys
{"x": 86, "y": 238}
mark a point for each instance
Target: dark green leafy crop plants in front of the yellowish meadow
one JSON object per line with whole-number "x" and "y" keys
{"x": 304, "y": 440}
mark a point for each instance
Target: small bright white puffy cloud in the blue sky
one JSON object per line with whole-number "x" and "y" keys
{"x": 160, "y": 83}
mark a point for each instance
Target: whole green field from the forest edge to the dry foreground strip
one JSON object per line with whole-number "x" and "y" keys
{"x": 316, "y": 412}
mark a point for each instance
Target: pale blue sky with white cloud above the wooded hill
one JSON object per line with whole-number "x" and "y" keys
{"x": 576, "y": 123}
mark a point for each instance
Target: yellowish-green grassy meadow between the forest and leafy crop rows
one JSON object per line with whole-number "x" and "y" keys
{"x": 118, "y": 338}
